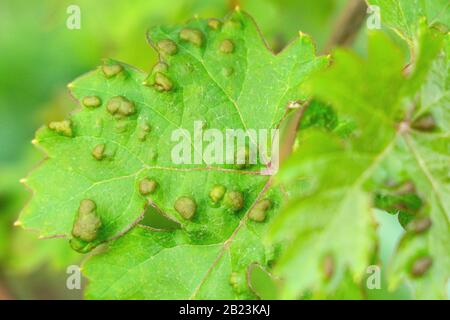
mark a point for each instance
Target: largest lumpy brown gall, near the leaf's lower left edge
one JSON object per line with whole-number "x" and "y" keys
{"x": 87, "y": 222}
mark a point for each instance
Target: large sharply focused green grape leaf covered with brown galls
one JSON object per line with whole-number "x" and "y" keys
{"x": 113, "y": 159}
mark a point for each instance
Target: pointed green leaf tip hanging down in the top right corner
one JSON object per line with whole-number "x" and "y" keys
{"x": 403, "y": 16}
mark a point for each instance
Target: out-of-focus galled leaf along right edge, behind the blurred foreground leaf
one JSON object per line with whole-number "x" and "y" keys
{"x": 422, "y": 255}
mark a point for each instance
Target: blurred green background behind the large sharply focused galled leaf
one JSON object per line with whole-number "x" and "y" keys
{"x": 39, "y": 55}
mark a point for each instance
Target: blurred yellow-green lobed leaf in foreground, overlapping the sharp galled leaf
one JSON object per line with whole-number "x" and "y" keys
{"x": 329, "y": 225}
